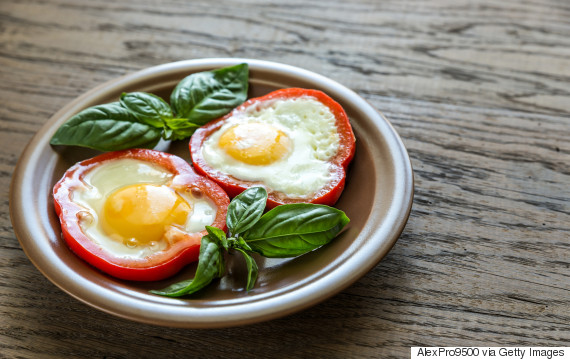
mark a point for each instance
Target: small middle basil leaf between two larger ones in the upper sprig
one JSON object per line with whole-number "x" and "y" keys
{"x": 147, "y": 108}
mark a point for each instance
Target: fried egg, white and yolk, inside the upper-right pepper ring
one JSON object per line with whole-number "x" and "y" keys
{"x": 284, "y": 143}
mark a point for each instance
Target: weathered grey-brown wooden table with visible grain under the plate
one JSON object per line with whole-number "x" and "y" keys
{"x": 479, "y": 91}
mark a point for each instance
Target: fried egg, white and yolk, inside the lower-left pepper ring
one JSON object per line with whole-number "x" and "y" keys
{"x": 132, "y": 209}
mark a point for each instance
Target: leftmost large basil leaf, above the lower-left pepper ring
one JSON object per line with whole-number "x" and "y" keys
{"x": 108, "y": 127}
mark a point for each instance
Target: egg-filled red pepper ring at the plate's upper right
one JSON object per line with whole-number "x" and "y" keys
{"x": 297, "y": 143}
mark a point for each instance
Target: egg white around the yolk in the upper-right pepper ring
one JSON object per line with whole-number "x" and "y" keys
{"x": 310, "y": 126}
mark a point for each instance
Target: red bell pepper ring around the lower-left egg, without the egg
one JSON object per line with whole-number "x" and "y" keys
{"x": 156, "y": 266}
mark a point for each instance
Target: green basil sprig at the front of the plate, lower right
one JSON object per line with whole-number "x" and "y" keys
{"x": 288, "y": 230}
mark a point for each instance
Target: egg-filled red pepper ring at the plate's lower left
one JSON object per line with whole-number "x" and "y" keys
{"x": 137, "y": 214}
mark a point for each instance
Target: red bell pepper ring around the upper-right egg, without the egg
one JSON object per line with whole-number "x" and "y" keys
{"x": 328, "y": 195}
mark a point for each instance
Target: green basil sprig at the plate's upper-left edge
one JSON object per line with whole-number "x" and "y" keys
{"x": 141, "y": 119}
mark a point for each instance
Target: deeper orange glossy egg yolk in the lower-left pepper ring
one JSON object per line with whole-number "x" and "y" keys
{"x": 141, "y": 214}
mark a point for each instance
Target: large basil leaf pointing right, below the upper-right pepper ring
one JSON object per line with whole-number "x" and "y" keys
{"x": 294, "y": 229}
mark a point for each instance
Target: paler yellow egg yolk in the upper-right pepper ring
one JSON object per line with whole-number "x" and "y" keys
{"x": 255, "y": 143}
